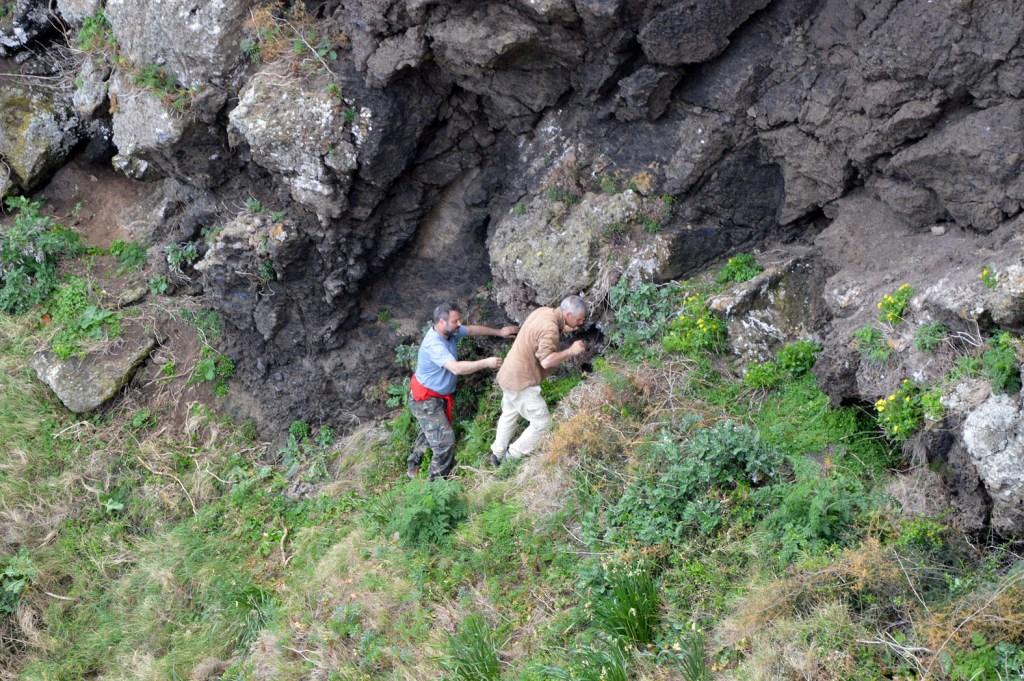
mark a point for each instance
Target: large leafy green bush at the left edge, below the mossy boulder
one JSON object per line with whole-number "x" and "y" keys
{"x": 30, "y": 250}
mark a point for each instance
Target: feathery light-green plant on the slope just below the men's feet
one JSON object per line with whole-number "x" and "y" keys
{"x": 426, "y": 513}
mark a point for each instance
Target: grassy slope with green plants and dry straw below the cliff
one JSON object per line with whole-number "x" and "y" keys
{"x": 806, "y": 573}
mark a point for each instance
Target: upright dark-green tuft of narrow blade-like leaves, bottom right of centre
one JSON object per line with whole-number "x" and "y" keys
{"x": 627, "y": 608}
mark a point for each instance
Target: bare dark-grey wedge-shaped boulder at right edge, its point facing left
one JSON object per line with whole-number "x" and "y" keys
{"x": 974, "y": 165}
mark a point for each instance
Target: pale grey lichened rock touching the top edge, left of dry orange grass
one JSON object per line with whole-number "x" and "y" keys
{"x": 197, "y": 41}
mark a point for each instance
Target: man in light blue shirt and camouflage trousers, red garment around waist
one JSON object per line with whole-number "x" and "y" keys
{"x": 433, "y": 387}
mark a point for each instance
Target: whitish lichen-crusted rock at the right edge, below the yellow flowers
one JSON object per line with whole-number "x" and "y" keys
{"x": 995, "y": 436}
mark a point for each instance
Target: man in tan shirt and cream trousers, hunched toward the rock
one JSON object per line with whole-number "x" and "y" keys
{"x": 533, "y": 356}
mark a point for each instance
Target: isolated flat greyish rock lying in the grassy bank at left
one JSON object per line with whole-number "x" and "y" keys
{"x": 86, "y": 384}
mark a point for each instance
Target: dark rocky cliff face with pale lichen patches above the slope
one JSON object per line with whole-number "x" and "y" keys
{"x": 358, "y": 161}
